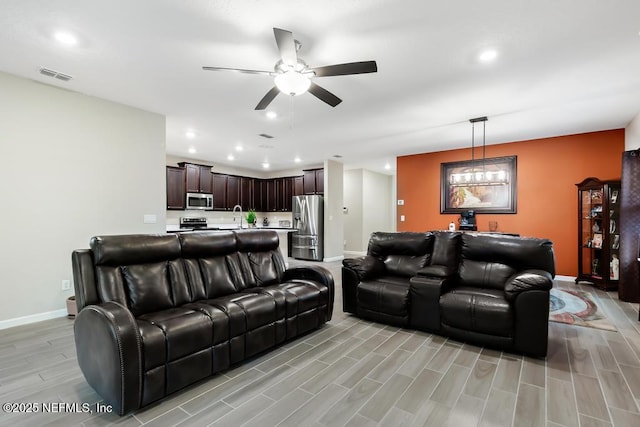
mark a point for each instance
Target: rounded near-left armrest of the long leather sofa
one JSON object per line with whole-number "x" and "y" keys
{"x": 109, "y": 350}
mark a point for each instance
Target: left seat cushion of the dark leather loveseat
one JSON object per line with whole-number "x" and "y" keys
{"x": 389, "y": 295}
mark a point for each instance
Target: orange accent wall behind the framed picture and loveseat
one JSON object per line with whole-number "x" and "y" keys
{"x": 547, "y": 201}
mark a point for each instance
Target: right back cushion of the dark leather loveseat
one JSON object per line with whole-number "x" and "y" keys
{"x": 488, "y": 260}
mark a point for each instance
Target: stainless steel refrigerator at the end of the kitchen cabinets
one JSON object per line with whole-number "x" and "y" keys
{"x": 307, "y": 241}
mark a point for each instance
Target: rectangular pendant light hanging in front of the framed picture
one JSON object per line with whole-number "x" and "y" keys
{"x": 478, "y": 173}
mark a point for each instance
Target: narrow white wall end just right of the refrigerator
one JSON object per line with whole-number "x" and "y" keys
{"x": 333, "y": 217}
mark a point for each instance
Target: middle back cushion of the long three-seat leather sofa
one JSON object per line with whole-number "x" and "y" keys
{"x": 211, "y": 263}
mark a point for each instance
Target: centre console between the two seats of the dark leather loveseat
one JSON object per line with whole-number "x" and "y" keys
{"x": 424, "y": 294}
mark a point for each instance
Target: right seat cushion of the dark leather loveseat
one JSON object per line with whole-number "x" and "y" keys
{"x": 479, "y": 310}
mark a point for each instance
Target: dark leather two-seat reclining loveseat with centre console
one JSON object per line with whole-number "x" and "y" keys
{"x": 487, "y": 289}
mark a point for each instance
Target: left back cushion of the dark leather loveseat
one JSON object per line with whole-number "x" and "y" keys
{"x": 403, "y": 253}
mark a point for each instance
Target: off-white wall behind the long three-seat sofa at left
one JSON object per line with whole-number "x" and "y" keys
{"x": 73, "y": 166}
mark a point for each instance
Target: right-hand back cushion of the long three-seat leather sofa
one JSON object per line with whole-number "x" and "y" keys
{"x": 260, "y": 260}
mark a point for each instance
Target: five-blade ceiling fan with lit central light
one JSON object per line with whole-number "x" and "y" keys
{"x": 293, "y": 76}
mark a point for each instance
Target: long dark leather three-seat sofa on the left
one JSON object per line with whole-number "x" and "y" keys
{"x": 159, "y": 312}
